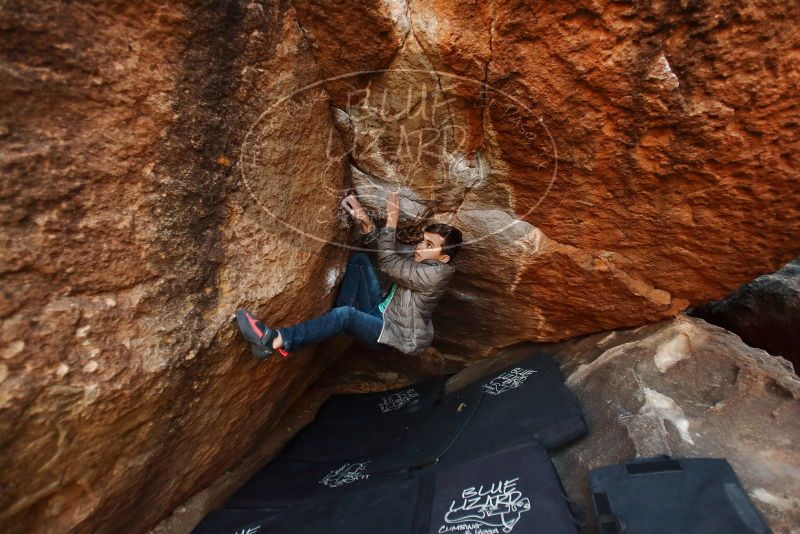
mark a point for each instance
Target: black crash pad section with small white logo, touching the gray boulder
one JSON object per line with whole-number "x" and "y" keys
{"x": 526, "y": 402}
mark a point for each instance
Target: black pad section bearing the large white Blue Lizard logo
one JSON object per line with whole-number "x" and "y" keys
{"x": 511, "y": 491}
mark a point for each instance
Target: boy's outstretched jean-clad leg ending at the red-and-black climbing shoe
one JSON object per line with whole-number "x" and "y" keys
{"x": 366, "y": 327}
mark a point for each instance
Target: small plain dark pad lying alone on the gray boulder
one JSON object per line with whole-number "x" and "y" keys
{"x": 663, "y": 495}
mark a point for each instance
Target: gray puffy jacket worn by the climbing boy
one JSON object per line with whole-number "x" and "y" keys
{"x": 407, "y": 324}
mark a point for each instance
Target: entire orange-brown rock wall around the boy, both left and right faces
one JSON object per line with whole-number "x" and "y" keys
{"x": 163, "y": 165}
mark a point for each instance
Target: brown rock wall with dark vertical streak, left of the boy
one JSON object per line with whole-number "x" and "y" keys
{"x": 130, "y": 235}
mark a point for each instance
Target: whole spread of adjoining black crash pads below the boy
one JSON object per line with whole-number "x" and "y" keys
{"x": 469, "y": 463}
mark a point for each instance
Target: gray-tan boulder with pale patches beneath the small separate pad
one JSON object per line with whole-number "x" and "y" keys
{"x": 688, "y": 389}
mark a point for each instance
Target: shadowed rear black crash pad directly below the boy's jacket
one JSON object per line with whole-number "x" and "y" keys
{"x": 361, "y": 408}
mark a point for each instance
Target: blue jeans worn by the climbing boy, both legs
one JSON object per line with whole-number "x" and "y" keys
{"x": 356, "y": 312}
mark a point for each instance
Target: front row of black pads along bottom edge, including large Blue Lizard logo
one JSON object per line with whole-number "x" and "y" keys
{"x": 511, "y": 491}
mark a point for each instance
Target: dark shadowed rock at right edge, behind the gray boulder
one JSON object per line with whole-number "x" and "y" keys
{"x": 765, "y": 313}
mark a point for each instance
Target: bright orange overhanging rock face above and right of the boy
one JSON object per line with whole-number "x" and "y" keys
{"x": 610, "y": 163}
